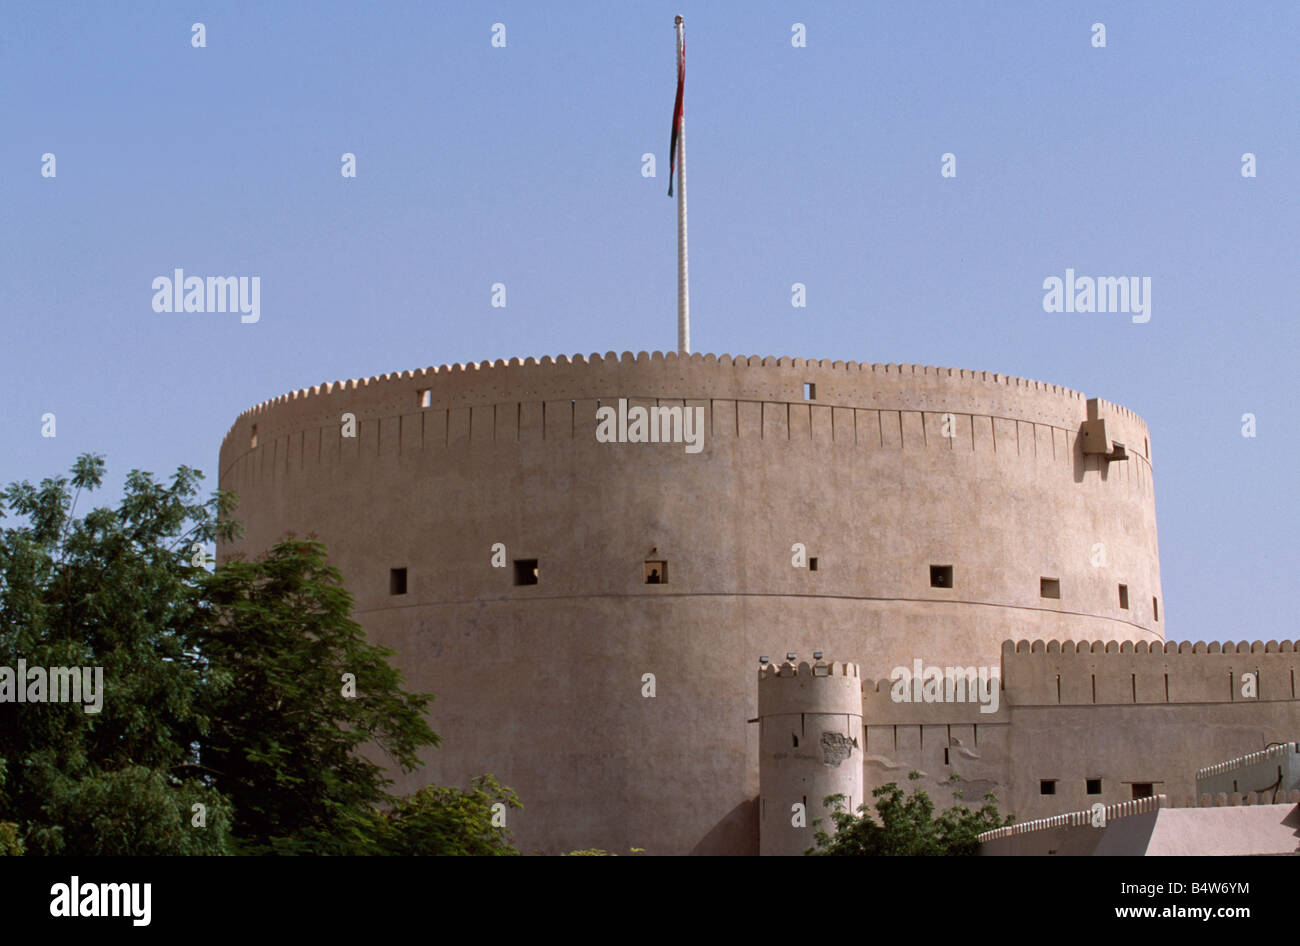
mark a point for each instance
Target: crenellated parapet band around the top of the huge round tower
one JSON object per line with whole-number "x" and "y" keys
{"x": 882, "y": 406}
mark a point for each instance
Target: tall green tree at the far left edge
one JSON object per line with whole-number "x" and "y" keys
{"x": 112, "y": 591}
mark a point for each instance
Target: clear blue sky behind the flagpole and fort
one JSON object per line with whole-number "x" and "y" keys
{"x": 522, "y": 166}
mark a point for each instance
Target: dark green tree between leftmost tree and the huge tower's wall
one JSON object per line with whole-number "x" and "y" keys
{"x": 285, "y": 737}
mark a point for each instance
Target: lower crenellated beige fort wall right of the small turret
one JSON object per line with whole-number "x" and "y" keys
{"x": 1080, "y": 724}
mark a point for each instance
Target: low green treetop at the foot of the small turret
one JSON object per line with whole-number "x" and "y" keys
{"x": 908, "y": 826}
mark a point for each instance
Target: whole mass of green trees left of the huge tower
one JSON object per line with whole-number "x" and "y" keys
{"x": 224, "y": 726}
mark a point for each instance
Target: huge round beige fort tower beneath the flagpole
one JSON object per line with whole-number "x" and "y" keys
{"x": 583, "y": 558}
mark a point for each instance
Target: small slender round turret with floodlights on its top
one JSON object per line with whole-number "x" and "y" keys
{"x": 811, "y": 730}
